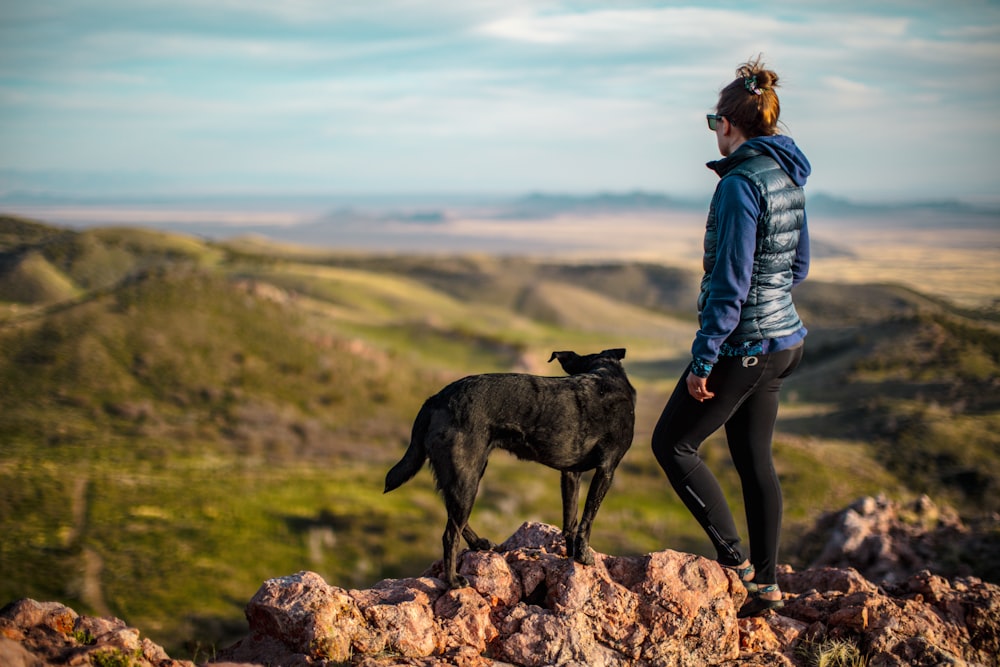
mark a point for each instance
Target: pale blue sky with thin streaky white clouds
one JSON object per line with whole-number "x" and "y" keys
{"x": 889, "y": 100}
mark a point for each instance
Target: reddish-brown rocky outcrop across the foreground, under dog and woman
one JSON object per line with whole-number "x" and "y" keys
{"x": 530, "y": 606}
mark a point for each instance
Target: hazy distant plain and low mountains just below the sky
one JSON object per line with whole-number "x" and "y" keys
{"x": 285, "y": 217}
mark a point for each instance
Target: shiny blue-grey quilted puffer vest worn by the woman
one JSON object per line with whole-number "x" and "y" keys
{"x": 768, "y": 311}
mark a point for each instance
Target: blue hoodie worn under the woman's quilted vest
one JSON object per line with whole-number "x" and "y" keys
{"x": 738, "y": 207}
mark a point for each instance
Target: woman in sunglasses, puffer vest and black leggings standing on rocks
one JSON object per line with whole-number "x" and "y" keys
{"x": 750, "y": 336}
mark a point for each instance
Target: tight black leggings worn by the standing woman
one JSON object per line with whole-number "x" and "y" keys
{"x": 746, "y": 402}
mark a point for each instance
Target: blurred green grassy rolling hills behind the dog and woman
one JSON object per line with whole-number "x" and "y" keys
{"x": 181, "y": 419}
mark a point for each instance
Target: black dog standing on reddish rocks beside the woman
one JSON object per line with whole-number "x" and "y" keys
{"x": 577, "y": 423}
